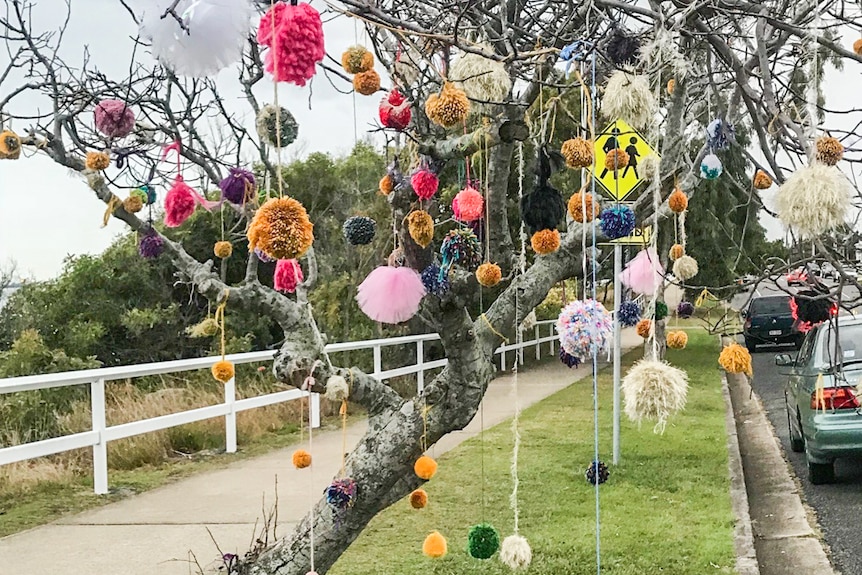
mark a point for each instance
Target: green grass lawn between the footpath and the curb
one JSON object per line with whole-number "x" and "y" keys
{"x": 666, "y": 509}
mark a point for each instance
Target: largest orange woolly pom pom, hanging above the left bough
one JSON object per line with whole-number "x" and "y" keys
{"x": 281, "y": 229}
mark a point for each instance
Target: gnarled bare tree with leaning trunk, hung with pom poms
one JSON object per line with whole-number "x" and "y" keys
{"x": 748, "y": 50}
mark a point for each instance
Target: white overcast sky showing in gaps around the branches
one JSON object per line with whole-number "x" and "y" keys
{"x": 47, "y": 214}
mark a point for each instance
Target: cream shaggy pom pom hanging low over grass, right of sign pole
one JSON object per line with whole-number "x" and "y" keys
{"x": 654, "y": 390}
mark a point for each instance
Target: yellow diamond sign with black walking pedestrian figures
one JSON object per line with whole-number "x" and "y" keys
{"x": 619, "y": 183}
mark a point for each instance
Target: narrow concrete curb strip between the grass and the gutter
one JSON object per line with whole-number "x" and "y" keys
{"x": 743, "y": 535}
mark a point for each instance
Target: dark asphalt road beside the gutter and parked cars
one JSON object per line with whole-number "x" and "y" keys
{"x": 839, "y": 505}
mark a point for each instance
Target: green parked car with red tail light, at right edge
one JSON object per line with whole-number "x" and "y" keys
{"x": 825, "y": 420}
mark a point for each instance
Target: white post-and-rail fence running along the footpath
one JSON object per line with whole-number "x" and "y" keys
{"x": 100, "y": 434}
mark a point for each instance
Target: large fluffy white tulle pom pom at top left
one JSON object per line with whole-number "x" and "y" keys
{"x": 216, "y": 34}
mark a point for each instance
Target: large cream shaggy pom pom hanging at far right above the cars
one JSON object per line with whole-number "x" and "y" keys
{"x": 814, "y": 199}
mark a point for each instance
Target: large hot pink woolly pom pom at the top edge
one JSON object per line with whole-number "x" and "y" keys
{"x": 294, "y": 36}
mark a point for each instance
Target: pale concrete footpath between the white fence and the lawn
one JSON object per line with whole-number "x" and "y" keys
{"x": 155, "y": 532}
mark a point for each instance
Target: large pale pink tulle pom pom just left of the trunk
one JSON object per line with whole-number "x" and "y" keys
{"x": 391, "y": 295}
